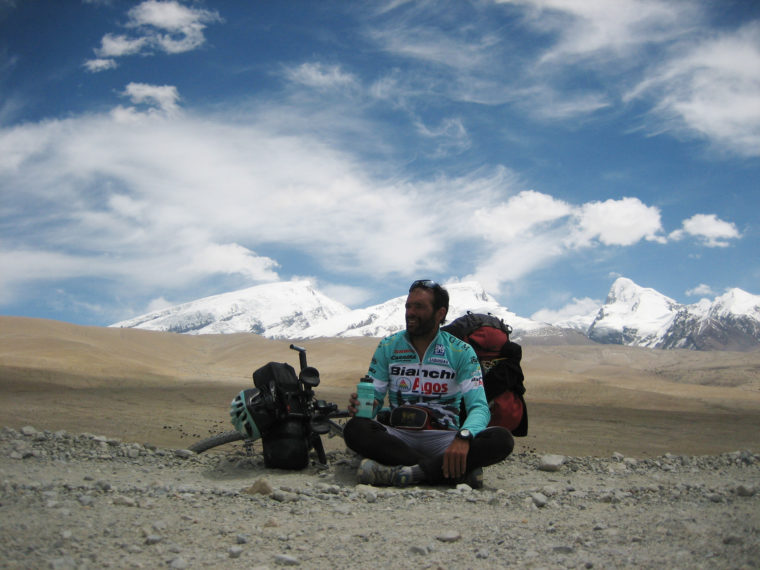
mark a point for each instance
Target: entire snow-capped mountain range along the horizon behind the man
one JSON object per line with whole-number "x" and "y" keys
{"x": 631, "y": 315}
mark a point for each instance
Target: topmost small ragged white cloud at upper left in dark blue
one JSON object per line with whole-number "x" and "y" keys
{"x": 162, "y": 26}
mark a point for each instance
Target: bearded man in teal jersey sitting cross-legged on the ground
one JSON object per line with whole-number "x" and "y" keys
{"x": 427, "y": 374}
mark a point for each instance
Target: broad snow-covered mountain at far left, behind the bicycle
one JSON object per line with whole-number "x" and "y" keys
{"x": 276, "y": 310}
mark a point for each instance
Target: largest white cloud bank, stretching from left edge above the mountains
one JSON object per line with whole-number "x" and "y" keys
{"x": 165, "y": 200}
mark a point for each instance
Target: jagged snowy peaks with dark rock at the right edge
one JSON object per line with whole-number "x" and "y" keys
{"x": 639, "y": 316}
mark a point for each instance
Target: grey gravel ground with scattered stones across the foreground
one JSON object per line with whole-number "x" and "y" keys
{"x": 87, "y": 501}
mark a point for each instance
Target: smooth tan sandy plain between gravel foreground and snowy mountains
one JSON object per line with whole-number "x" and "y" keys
{"x": 170, "y": 390}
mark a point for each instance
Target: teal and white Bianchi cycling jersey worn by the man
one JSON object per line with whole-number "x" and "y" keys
{"x": 447, "y": 374}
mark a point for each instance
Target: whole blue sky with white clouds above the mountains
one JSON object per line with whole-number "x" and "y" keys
{"x": 156, "y": 152}
